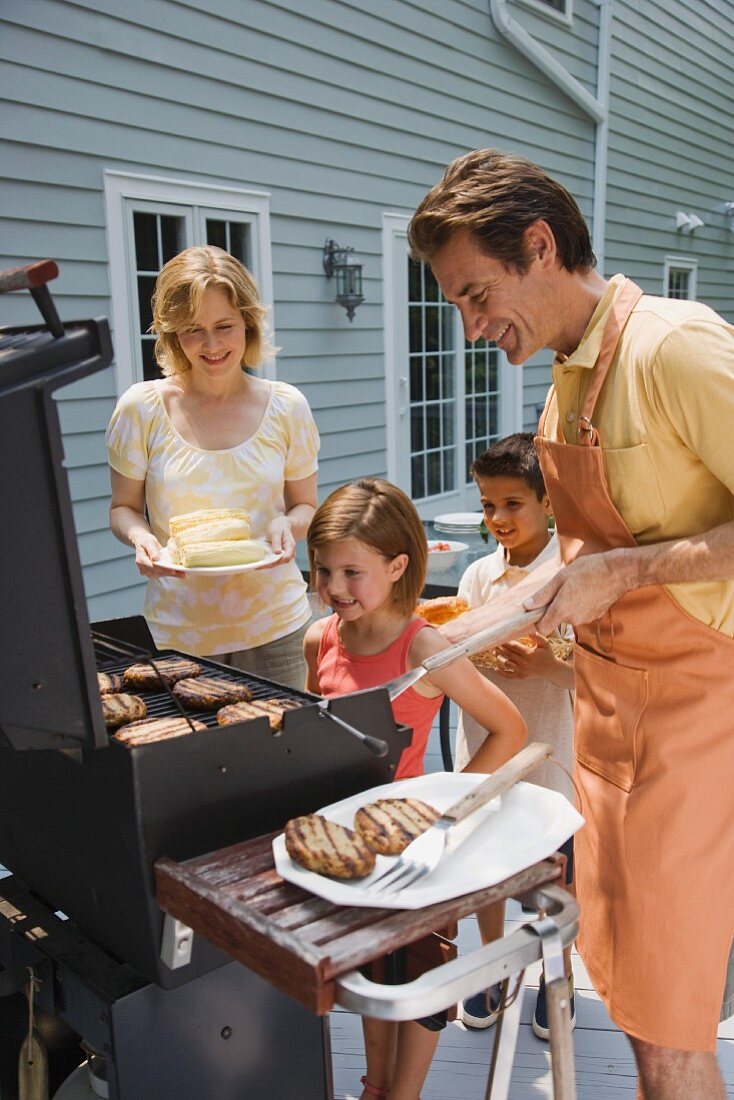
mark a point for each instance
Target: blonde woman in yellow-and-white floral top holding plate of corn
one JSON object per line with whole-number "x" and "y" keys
{"x": 211, "y": 435}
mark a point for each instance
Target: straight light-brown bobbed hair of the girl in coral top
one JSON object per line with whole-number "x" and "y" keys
{"x": 381, "y": 516}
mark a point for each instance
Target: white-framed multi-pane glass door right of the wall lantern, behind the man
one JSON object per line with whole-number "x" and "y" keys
{"x": 447, "y": 400}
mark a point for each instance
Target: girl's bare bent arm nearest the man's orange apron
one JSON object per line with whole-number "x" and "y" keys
{"x": 478, "y": 697}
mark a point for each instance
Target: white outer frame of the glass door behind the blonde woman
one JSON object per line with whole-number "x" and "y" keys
{"x": 194, "y": 202}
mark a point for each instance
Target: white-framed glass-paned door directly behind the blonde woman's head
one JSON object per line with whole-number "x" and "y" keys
{"x": 150, "y": 221}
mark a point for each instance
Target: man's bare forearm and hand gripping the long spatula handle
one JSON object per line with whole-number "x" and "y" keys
{"x": 585, "y": 590}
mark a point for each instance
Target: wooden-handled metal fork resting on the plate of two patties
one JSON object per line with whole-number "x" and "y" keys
{"x": 425, "y": 853}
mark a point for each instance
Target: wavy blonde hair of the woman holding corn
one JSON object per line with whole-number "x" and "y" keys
{"x": 178, "y": 300}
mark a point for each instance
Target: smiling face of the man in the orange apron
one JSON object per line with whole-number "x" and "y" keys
{"x": 517, "y": 313}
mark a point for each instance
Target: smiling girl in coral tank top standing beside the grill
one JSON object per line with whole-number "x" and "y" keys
{"x": 368, "y": 555}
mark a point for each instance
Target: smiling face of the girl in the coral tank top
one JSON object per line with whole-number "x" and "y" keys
{"x": 355, "y": 580}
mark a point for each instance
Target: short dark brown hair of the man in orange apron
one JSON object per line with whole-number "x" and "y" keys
{"x": 497, "y": 197}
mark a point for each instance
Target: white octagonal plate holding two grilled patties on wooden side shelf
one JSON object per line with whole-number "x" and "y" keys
{"x": 527, "y": 826}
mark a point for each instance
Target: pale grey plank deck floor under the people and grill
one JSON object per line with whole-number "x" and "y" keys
{"x": 605, "y": 1065}
